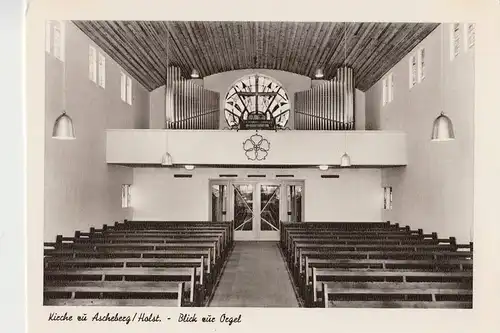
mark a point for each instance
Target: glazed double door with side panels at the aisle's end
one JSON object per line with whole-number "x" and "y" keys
{"x": 257, "y": 207}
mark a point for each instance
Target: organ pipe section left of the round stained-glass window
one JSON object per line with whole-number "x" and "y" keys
{"x": 188, "y": 105}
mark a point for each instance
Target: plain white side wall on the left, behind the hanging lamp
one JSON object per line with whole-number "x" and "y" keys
{"x": 81, "y": 190}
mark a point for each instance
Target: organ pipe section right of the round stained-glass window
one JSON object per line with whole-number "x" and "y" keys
{"x": 328, "y": 106}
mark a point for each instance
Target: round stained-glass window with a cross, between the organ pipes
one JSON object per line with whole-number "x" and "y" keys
{"x": 257, "y": 97}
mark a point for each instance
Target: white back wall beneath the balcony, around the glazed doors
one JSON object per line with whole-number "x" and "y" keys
{"x": 355, "y": 196}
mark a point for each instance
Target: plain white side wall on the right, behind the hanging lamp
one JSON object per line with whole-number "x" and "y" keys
{"x": 435, "y": 191}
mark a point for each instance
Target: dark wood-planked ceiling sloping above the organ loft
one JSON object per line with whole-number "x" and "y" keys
{"x": 142, "y": 47}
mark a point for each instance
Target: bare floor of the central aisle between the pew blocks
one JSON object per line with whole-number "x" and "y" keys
{"x": 255, "y": 276}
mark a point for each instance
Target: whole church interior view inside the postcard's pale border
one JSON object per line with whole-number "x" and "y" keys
{"x": 258, "y": 164}
